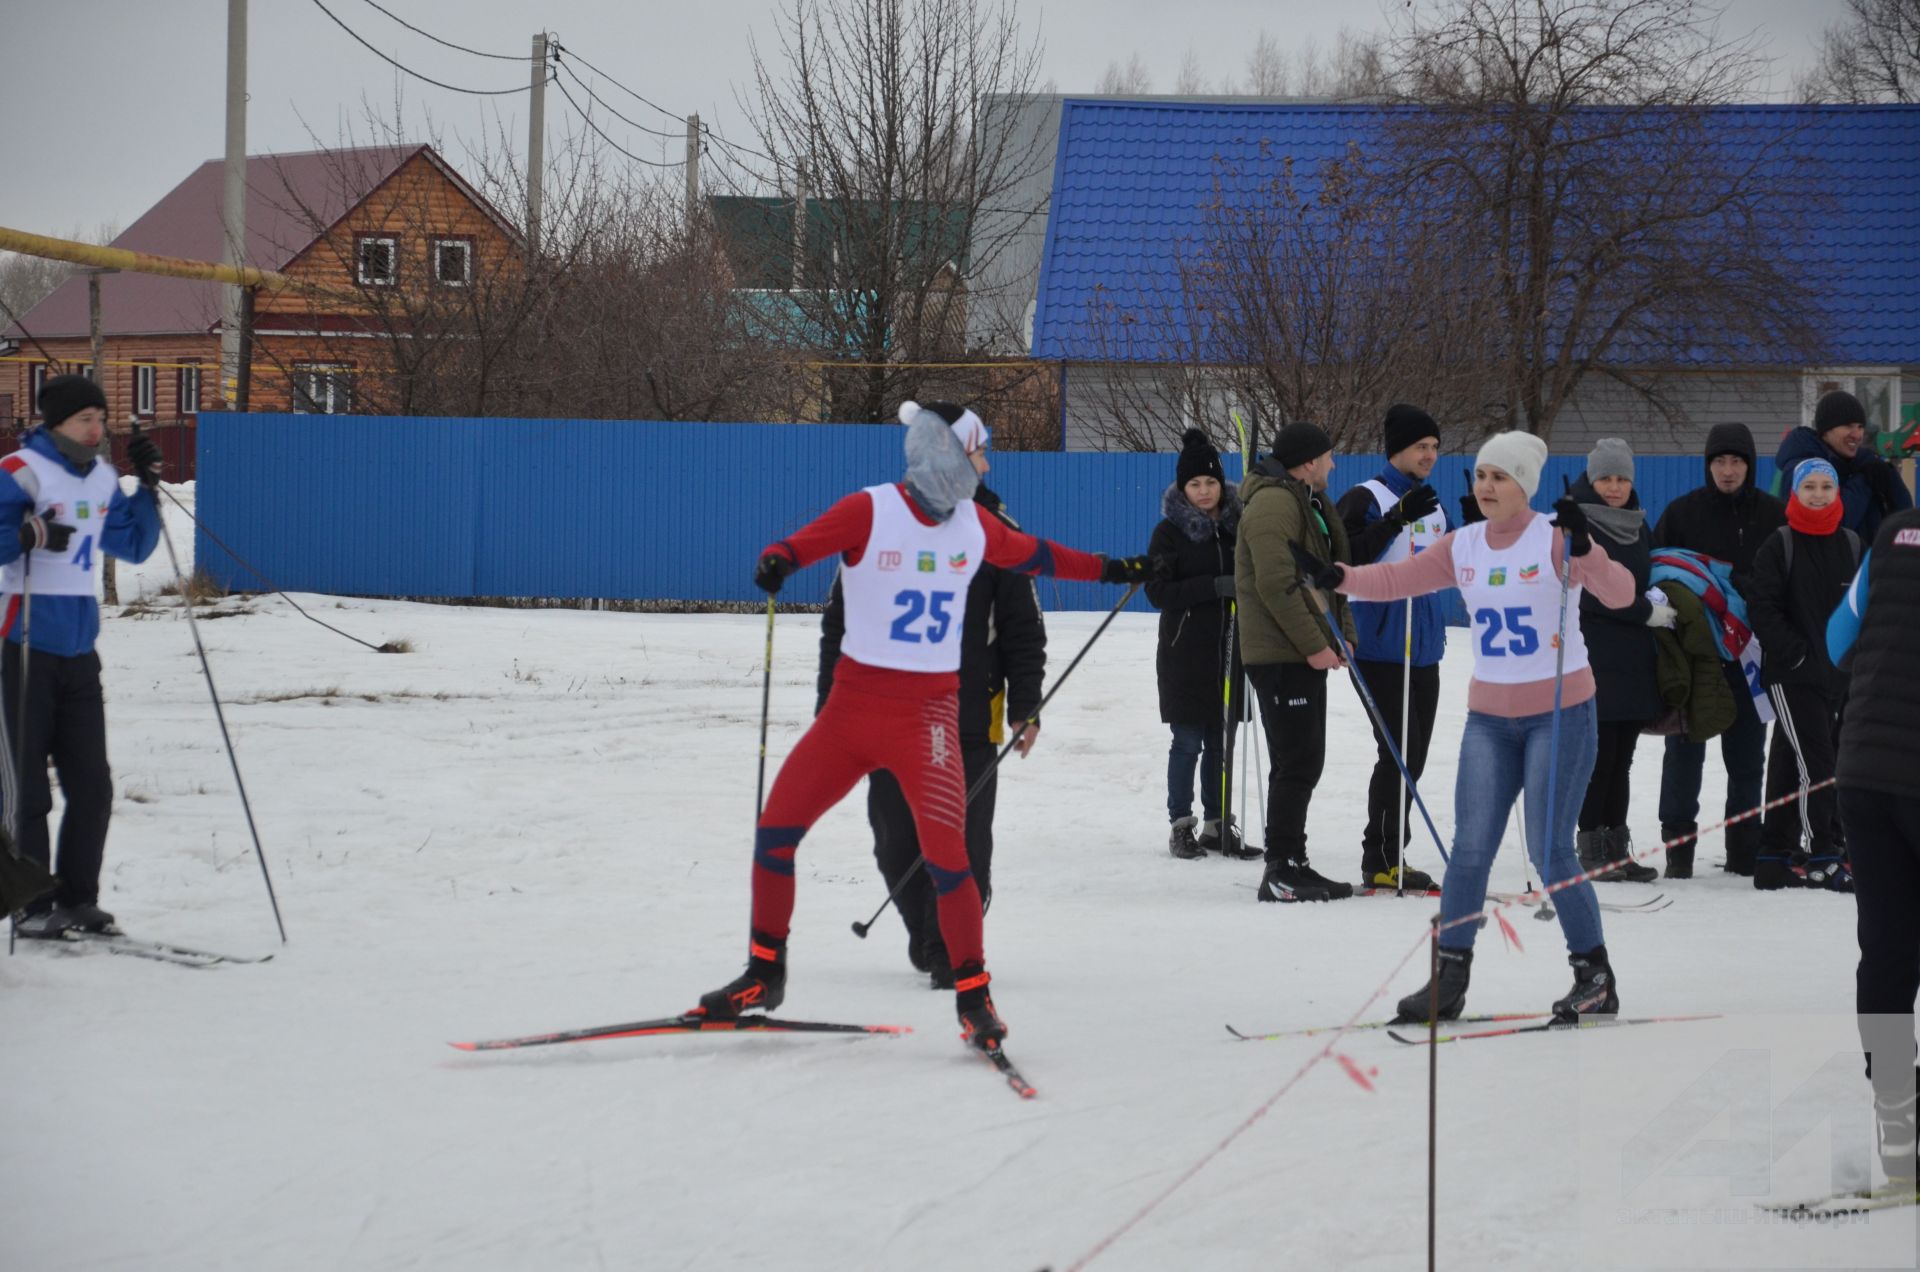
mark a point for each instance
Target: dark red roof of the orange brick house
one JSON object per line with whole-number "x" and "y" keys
{"x": 291, "y": 201}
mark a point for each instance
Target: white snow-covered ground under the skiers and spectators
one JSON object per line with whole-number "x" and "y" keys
{"x": 540, "y": 819}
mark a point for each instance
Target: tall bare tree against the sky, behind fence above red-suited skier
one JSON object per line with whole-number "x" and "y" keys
{"x": 888, "y": 110}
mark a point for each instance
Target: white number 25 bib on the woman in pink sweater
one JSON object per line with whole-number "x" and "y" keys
{"x": 1514, "y": 604}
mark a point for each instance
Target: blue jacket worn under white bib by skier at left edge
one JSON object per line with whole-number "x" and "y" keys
{"x": 68, "y": 625}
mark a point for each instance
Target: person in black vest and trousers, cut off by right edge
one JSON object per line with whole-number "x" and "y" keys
{"x": 1873, "y": 637}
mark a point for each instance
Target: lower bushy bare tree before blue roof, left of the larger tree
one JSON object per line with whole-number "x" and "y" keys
{"x": 1308, "y": 295}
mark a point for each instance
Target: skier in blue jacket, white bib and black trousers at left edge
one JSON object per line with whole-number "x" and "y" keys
{"x": 68, "y": 508}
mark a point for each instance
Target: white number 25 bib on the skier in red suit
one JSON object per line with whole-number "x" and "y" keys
{"x": 907, "y": 597}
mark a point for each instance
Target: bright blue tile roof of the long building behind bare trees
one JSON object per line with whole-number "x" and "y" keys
{"x": 1134, "y": 178}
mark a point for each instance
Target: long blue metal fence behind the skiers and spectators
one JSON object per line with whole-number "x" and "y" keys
{"x": 642, "y": 510}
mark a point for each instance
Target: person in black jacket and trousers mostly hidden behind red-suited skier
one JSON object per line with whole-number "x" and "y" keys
{"x": 1003, "y": 664}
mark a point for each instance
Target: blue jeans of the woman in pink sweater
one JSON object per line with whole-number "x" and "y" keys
{"x": 1499, "y": 756}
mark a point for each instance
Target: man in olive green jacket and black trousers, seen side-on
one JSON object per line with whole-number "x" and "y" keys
{"x": 1287, "y": 647}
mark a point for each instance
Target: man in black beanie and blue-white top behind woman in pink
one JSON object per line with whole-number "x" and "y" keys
{"x": 1401, "y": 643}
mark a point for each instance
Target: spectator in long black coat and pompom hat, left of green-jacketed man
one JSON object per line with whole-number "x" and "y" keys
{"x": 1195, "y": 541}
